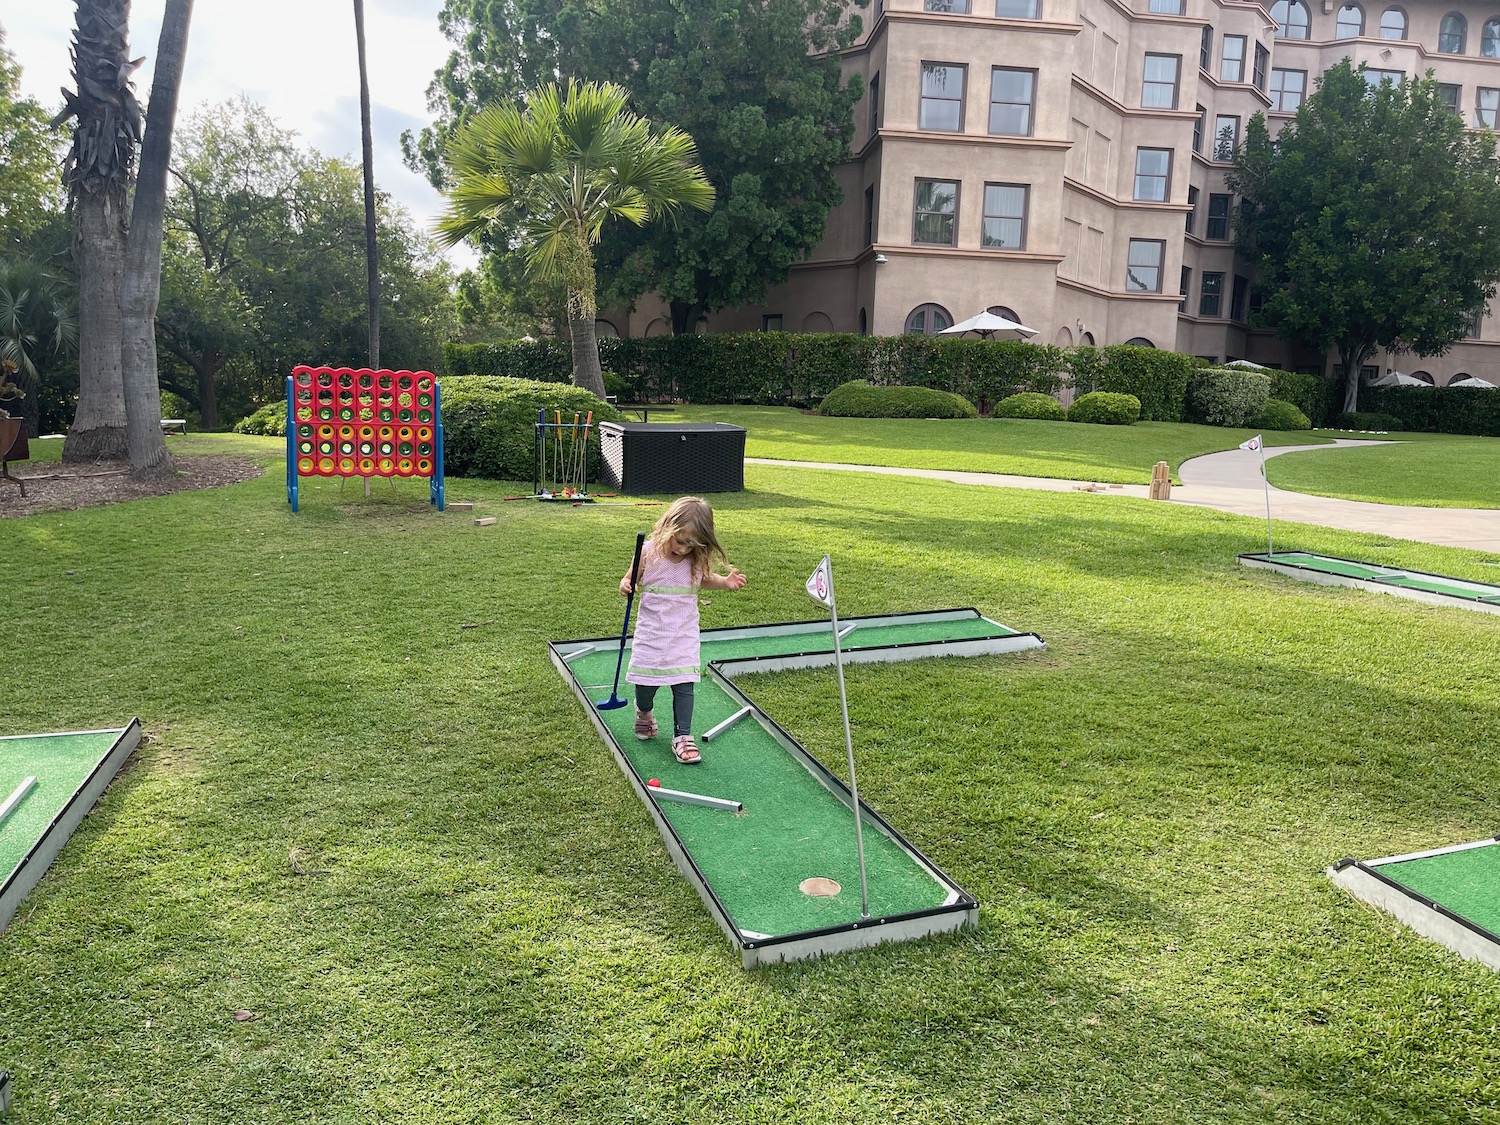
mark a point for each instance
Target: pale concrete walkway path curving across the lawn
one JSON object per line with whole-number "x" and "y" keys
{"x": 1231, "y": 482}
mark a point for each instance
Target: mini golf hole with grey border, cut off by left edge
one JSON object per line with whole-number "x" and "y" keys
{"x": 71, "y": 772}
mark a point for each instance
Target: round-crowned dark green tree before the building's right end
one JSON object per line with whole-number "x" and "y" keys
{"x": 1372, "y": 220}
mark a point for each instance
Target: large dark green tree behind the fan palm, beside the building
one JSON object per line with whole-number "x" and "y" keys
{"x": 757, "y": 85}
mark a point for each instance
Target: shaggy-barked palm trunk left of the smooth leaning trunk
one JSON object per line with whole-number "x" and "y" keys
{"x": 98, "y": 176}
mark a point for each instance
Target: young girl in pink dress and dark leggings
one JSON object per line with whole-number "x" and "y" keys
{"x": 677, "y": 563}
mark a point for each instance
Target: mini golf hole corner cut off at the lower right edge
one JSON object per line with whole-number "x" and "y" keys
{"x": 1450, "y": 895}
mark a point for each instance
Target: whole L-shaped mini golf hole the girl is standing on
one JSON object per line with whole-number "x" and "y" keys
{"x": 797, "y": 824}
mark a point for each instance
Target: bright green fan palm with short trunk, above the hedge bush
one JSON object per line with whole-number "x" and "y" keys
{"x": 557, "y": 172}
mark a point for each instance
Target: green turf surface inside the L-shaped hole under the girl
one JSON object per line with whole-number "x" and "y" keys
{"x": 793, "y": 827}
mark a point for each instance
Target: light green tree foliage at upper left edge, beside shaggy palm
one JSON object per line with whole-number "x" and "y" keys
{"x": 31, "y": 182}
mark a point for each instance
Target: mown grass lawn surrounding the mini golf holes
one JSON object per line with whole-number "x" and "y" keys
{"x": 373, "y": 862}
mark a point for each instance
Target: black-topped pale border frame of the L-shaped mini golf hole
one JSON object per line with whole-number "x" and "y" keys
{"x": 812, "y": 649}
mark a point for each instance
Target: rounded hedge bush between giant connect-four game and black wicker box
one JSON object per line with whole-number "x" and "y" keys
{"x": 490, "y": 425}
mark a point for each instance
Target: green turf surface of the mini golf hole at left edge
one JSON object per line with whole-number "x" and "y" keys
{"x": 61, "y": 766}
